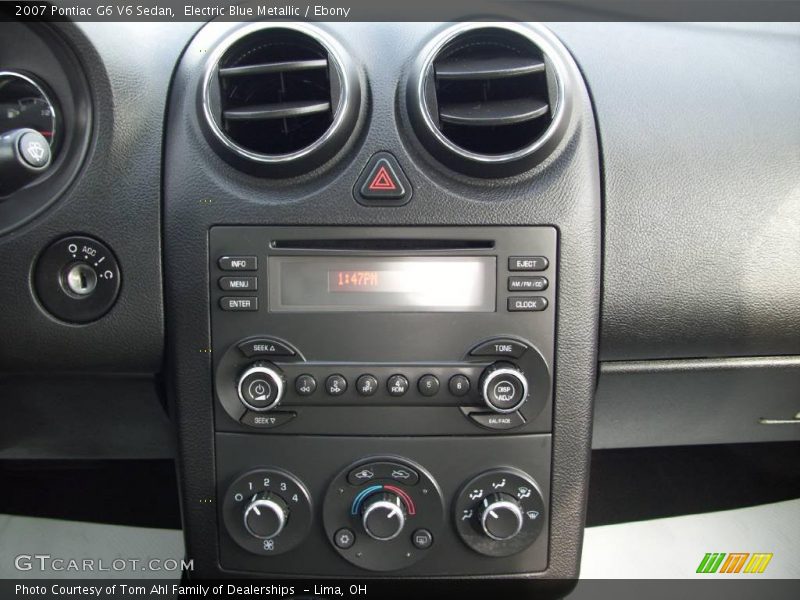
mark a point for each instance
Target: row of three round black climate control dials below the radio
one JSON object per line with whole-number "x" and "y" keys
{"x": 385, "y": 513}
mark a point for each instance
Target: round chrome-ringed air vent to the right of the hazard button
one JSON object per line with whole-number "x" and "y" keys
{"x": 490, "y": 100}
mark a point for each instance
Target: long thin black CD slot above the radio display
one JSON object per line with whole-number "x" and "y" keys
{"x": 383, "y": 245}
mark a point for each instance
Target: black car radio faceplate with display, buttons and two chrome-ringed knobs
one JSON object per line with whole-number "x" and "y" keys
{"x": 391, "y": 351}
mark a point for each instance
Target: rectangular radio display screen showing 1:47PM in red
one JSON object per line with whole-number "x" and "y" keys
{"x": 382, "y": 284}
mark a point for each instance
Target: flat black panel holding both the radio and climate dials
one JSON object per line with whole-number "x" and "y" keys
{"x": 344, "y": 335}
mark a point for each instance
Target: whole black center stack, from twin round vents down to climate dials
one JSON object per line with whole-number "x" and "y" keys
{"x": 382, "y": 354}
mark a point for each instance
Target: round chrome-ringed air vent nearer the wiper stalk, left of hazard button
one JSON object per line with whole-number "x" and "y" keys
{"x": 280, "y": 100}
